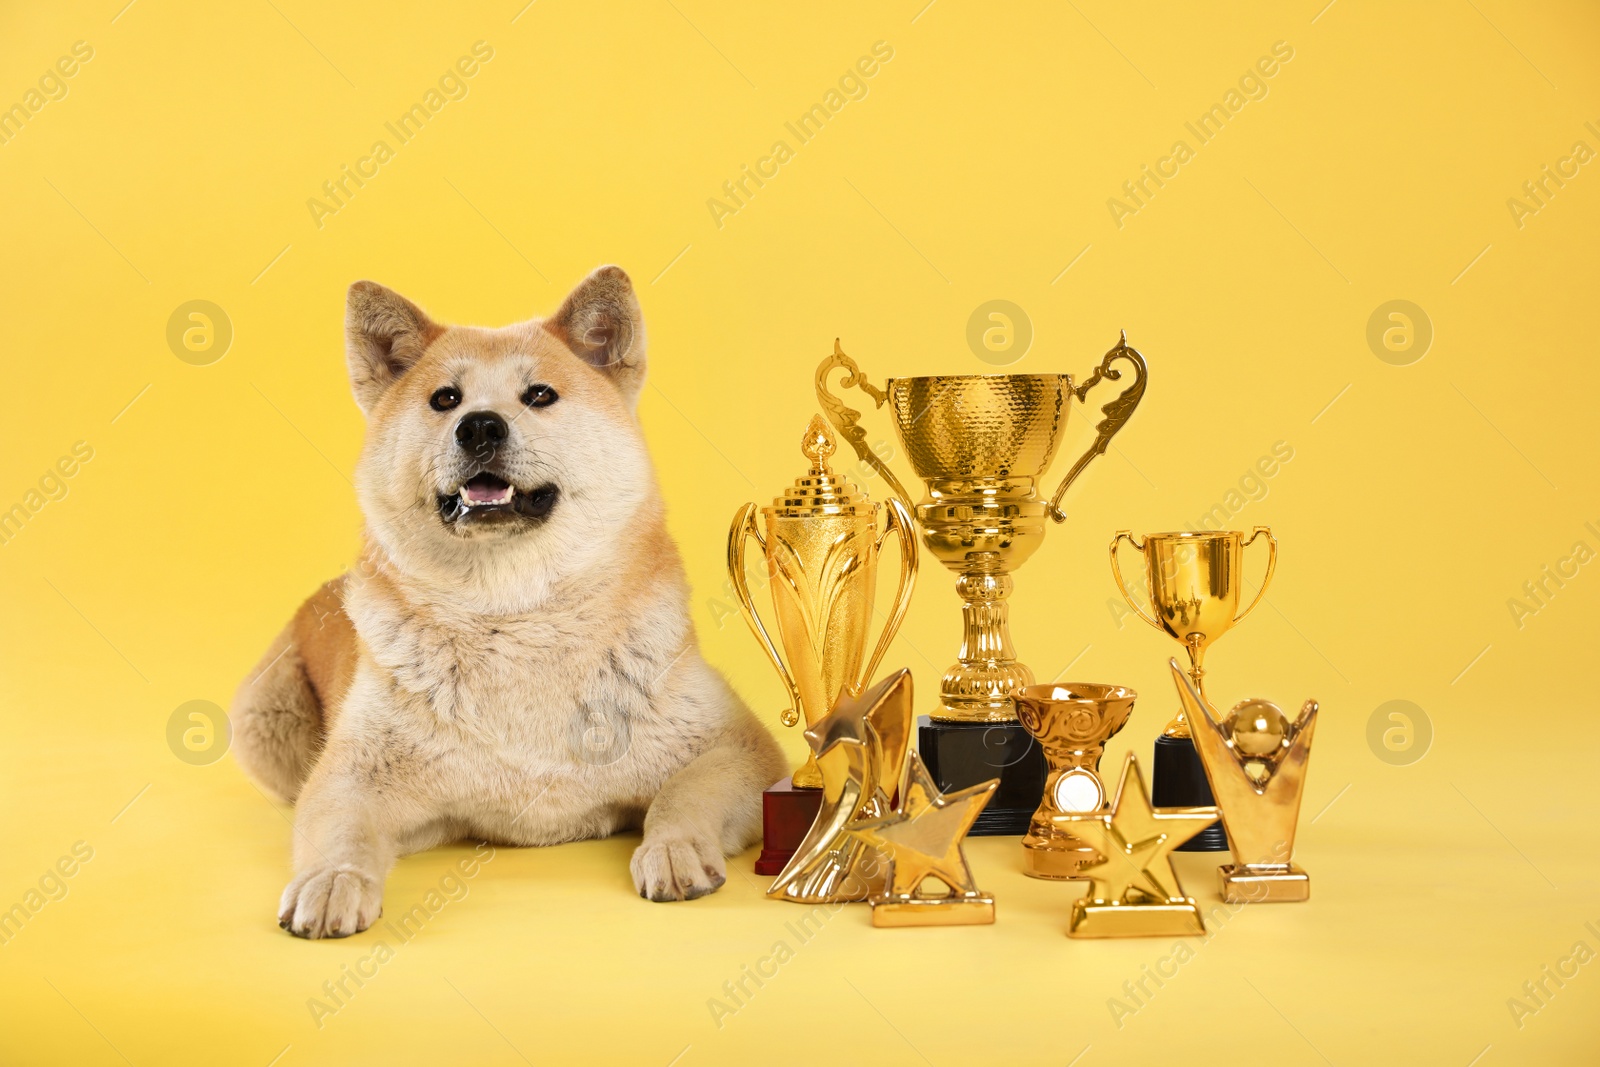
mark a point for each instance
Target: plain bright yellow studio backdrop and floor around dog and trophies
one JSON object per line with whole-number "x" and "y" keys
{"x": 978, "y": 167}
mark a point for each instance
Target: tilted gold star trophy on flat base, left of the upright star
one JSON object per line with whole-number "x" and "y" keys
{"x": 922, "y": 839}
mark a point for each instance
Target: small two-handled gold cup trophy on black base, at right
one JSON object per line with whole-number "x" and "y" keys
{"x": 1194, "y": 591}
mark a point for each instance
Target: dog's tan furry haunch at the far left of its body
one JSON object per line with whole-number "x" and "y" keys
{"x": 282, "y": 709}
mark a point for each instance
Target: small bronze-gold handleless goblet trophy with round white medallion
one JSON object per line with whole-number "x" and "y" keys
{"x": 1073, "y": 722}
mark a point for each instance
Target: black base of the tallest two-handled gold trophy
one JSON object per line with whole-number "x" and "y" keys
{"x": 967, "y": 754}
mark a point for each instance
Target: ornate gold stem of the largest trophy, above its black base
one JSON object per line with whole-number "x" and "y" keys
{"x": 980, "y": 685}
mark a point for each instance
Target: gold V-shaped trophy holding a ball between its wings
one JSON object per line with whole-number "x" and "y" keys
{"x": 1257, "y": 762}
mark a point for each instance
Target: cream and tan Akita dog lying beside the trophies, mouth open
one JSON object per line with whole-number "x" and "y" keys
{"x": 513, "y": 658}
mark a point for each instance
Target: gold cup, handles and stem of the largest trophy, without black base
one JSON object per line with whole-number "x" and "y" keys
{"x": 982, "y": 444}
